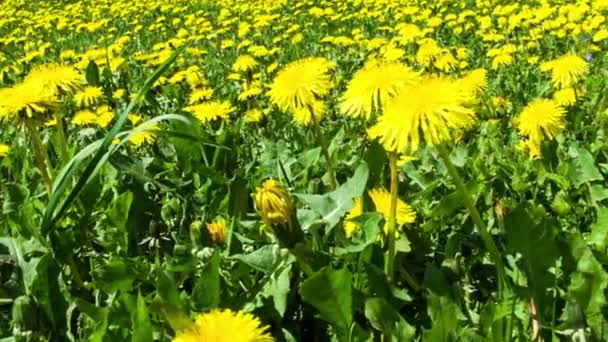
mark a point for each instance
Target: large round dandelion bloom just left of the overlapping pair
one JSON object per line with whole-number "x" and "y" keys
{"x": 301, "y": 83}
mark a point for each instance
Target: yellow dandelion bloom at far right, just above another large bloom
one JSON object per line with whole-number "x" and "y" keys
{"x": 566, "y": 70}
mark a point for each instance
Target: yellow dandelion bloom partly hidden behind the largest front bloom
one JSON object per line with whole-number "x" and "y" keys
{"x": 372, "y": 86}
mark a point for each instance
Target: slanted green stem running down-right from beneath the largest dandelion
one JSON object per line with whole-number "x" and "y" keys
{"x": 475, "y": 216}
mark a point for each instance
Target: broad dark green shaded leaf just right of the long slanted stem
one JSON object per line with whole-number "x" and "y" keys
{"x": 536, "y": 242}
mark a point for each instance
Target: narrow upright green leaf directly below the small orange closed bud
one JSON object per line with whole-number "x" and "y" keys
{"x": 206, "y": 292}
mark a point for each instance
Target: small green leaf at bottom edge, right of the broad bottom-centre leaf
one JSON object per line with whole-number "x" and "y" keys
{"x": 385, "y": 318}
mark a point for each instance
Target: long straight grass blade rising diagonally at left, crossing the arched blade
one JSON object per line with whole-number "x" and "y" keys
{"x": 50, "y": 214}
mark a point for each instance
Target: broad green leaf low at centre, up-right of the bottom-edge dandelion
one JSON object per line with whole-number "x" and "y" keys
{"x": 330, "y": 292}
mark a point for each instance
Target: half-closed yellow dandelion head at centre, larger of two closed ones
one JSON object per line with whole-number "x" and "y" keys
{"x": 273, "y": 203}
